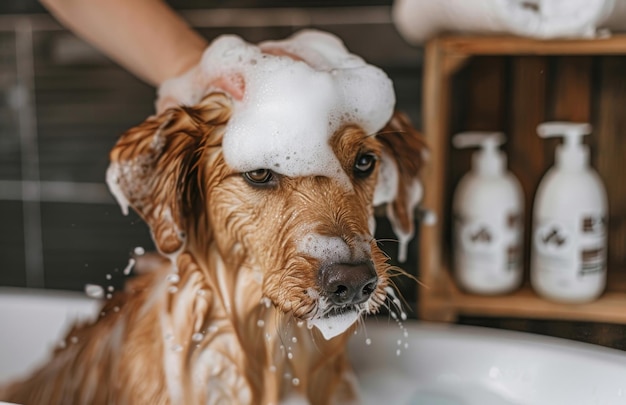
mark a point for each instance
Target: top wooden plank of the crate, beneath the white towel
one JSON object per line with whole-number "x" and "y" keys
{"x": 508, "y": 45}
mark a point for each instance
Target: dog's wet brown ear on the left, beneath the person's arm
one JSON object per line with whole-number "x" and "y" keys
{"x": 154, "y": 167}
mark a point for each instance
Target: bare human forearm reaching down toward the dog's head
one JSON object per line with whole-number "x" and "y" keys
{"x": 145, "y": 37}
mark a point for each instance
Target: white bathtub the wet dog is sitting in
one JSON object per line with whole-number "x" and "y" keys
{"x": 421, "y": 364}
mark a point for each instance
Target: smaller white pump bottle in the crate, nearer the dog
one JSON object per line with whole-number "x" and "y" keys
{"x": 488, "y": 212}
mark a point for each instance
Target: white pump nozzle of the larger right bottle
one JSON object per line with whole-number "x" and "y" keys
{"x": 572, "y": 154}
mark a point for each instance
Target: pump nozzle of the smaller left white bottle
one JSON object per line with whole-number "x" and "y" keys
{"x": 490, "y": 160}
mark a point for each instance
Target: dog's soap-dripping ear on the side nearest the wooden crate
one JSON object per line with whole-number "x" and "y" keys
{"x": 399, "y": 186}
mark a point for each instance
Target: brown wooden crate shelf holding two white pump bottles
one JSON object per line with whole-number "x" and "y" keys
{"x": 512, "y": 84}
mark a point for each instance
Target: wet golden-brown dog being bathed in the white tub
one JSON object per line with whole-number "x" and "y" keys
{"x": 260, "y": 279}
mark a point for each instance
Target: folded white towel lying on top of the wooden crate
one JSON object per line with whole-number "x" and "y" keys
{"x": 419, "y": 20}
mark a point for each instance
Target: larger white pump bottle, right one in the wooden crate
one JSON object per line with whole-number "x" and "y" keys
{"x": 568, "y": 255}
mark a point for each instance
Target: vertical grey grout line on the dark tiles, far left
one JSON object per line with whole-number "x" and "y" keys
{"x": 31, "y": 205}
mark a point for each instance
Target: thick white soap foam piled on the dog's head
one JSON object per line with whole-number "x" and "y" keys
{"x": 296, "y": 94}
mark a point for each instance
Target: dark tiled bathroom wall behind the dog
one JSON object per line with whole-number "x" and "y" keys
{"x": 63, "y": 105}
